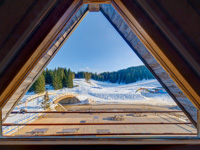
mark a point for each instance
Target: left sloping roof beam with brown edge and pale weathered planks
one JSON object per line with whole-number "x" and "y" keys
{"x": 72, "y": 17}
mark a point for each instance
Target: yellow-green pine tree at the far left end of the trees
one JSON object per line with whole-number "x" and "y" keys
{"x": 39, "y": 85}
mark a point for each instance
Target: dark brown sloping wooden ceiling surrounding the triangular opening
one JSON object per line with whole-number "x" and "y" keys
{"x": 169, "y": 30}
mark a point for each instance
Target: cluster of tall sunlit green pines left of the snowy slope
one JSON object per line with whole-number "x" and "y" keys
{"x": 58, "y": 78}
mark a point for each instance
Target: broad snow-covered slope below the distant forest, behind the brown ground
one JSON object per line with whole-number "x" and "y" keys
{"x": 105, "y": 92}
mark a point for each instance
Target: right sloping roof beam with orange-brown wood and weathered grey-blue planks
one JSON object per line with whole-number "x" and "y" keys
{"x": 183, "y": 102}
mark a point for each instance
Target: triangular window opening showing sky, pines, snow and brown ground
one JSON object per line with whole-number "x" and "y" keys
{"x": 101, "y": 88}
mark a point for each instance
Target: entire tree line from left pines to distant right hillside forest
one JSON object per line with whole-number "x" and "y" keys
{"x": 62, "y": 77}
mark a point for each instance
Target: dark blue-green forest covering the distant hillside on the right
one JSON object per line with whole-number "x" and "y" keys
{"x": 129, "y": 75}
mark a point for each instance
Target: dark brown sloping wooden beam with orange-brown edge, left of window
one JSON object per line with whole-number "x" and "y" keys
{"x": 34, "y": 49}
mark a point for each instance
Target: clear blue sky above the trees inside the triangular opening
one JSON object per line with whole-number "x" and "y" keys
{"x": 95, "y": 46}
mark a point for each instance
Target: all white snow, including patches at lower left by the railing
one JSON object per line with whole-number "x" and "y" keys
{"x": 94, "y": 92}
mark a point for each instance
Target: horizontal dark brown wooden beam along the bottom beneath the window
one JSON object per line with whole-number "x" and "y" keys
{"x": 94, "y": 140}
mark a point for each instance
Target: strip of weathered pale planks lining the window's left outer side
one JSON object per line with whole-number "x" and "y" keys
{"x": 43, "y": 62}
